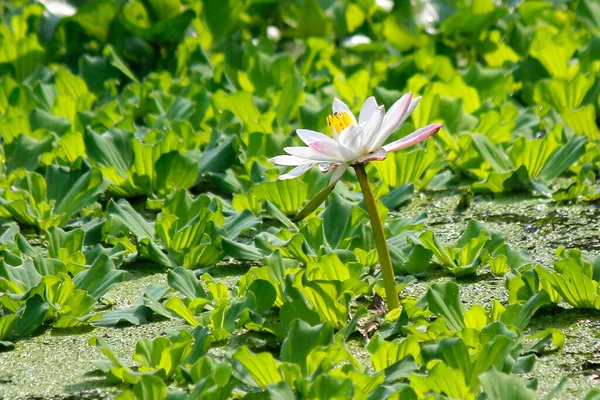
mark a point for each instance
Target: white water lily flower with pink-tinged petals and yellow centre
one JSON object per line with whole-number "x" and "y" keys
{"x": 353, "y": 141}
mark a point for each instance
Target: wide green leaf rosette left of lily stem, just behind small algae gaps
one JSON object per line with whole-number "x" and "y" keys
{"x": 190, "y": 230}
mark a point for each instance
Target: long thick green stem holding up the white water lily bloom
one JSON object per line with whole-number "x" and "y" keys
{"x": 385, "y": 261}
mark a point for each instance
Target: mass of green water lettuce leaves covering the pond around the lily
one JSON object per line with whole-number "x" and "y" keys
{"x": 140, "y": 130}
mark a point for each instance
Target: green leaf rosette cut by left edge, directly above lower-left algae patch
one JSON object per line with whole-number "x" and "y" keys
{"x": 37, "y": 288}
